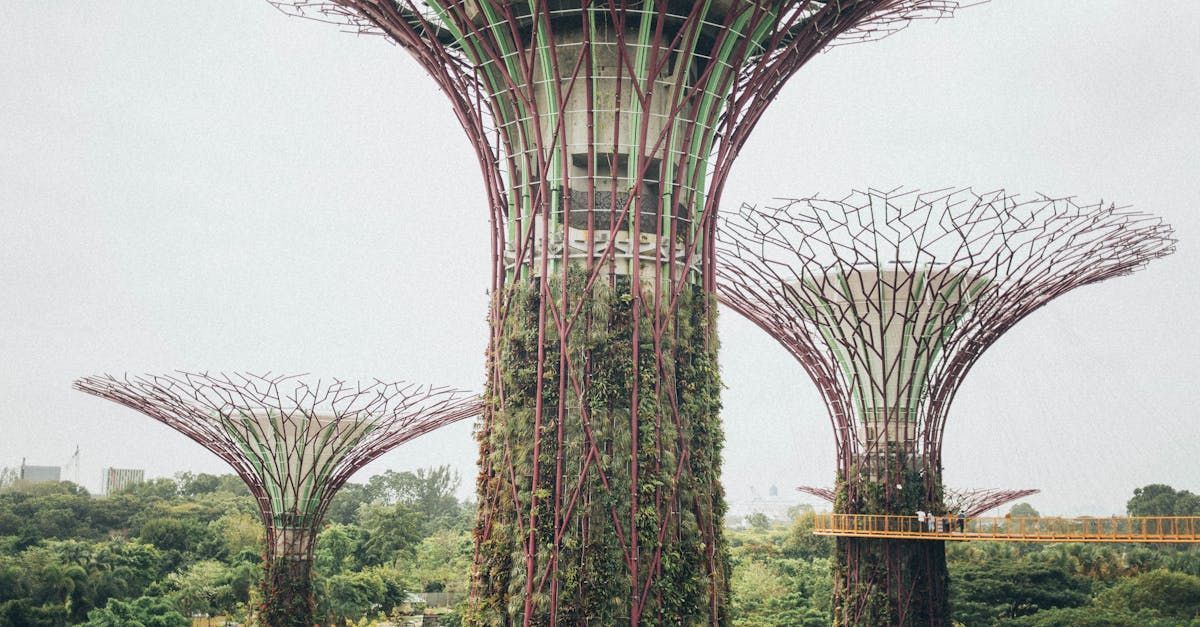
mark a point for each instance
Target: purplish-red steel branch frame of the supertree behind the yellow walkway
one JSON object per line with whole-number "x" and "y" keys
{"x": 1027, "y": 253}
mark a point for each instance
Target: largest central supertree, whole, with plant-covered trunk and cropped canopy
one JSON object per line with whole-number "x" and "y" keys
{"x": 605, "y": 133}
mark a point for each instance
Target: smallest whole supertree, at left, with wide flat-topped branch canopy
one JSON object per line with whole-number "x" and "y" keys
{"x": 295, "y": 444}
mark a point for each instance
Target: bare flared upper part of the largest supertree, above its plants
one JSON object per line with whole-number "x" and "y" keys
{"x": 605, "y": 130}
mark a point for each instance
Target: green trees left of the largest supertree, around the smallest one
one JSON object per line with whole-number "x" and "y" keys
{"x": 171, "y": 550}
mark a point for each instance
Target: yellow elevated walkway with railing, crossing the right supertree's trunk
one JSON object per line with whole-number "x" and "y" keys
{"x": 1133, "y": 529}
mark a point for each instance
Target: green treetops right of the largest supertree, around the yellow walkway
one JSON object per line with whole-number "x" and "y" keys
{"x": 783, "y": 577}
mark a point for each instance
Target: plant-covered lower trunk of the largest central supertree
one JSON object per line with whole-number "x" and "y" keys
{"x": 583, "y": 450}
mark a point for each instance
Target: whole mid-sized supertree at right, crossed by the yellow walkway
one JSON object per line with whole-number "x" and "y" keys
{"x": 889, "y": 300}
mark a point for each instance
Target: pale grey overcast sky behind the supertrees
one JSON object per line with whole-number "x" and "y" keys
{"x": 213, "y": 186}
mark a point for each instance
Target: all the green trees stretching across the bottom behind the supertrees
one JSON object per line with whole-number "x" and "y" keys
{"x": 177, "y": 548}
